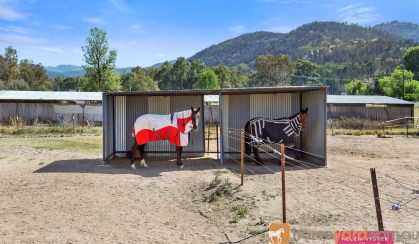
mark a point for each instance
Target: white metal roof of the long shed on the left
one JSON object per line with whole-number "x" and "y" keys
{"x": 50, "y": 95}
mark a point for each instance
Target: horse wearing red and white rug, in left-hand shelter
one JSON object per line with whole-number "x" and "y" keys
{"x": 173, "y": 127}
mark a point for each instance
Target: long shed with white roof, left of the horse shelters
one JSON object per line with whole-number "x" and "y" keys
{"x": 50, "y": 105}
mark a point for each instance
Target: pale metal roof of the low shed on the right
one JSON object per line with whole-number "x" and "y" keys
{"x": 360, "y": 99}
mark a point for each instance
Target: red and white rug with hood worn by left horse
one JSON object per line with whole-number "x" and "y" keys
{"x": 172, "y": 127}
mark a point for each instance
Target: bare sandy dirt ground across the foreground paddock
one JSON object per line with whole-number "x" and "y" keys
{"x": 54, "y": 196}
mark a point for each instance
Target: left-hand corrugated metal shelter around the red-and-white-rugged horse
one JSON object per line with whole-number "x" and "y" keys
{"x": 121, "y": 109}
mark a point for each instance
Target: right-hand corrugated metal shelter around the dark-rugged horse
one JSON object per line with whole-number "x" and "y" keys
{"x": 240, "y": 105}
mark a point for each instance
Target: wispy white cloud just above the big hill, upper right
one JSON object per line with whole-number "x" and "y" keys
{"x": 357, "y": 13}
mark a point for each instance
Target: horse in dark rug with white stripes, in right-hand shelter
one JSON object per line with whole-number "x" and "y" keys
{"x": 263, "y": 130}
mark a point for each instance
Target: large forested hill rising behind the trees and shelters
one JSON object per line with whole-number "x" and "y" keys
{"x": 319, "y": 42}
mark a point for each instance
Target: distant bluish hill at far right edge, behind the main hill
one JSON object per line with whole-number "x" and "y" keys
{"x": 406, "y": 30}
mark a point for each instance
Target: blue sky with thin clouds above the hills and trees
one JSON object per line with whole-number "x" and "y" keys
{"x": 52, "y": 32}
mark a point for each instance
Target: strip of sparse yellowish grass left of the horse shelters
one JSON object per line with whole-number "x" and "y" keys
{"x": 80, "y": 144}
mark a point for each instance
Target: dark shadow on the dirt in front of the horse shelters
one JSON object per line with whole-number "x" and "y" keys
{"x": 157, "y": 166}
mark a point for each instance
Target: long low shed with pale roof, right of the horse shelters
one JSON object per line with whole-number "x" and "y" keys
{"x": 375, "y": 108}
